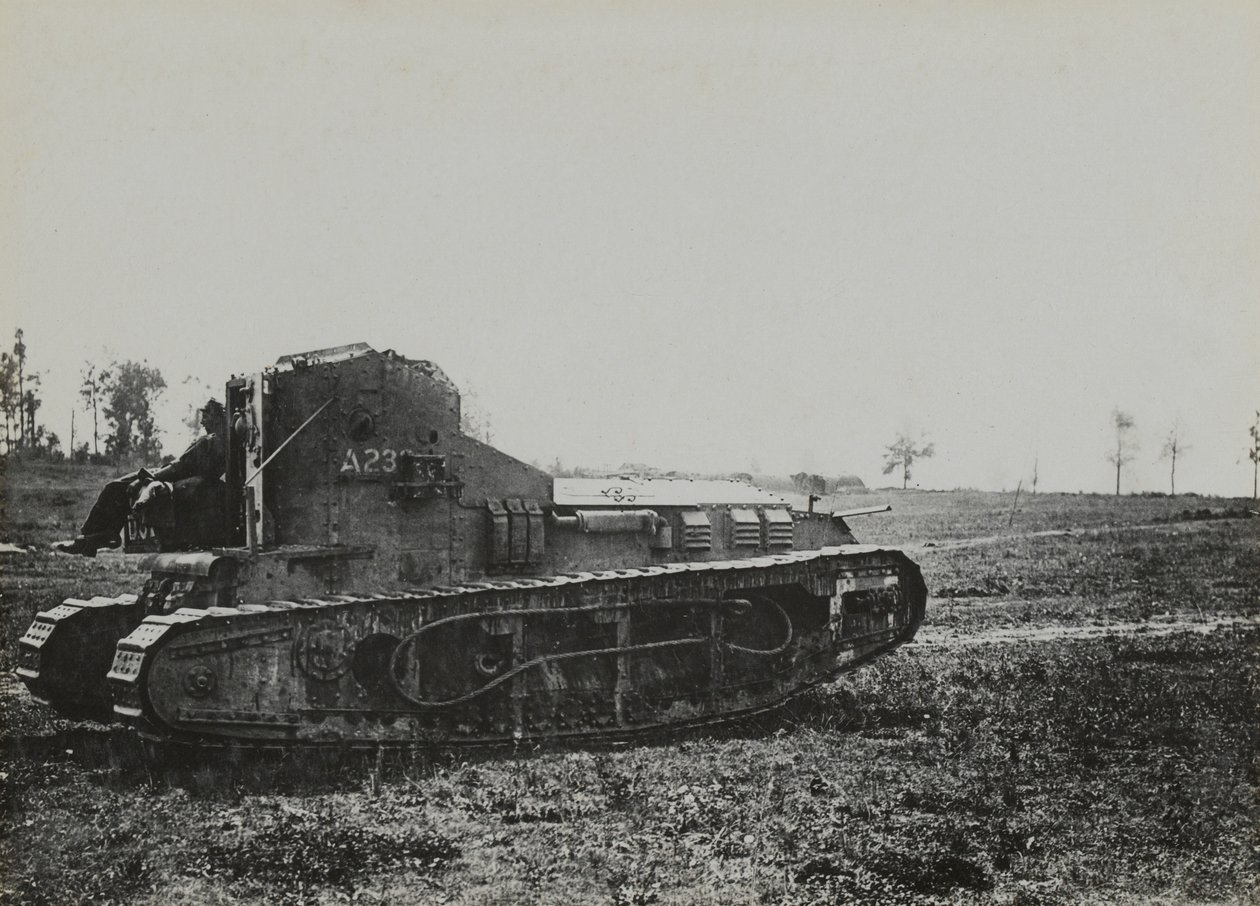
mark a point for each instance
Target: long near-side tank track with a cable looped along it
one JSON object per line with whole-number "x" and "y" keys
{"x": 616, "y": 655}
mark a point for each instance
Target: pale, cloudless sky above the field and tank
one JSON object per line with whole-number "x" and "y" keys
{"x": 709, "y": 238}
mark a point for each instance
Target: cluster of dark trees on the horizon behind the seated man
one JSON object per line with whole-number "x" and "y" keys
{"x": 120, "y": 399}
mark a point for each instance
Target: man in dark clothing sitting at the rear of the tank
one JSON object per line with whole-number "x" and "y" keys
{"x": 205, "y": 462}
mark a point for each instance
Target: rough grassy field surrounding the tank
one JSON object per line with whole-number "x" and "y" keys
{"x": 1077, "y": 723}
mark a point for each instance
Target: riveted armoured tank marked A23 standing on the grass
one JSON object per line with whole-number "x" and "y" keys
{"x": 369, "y": 574}
